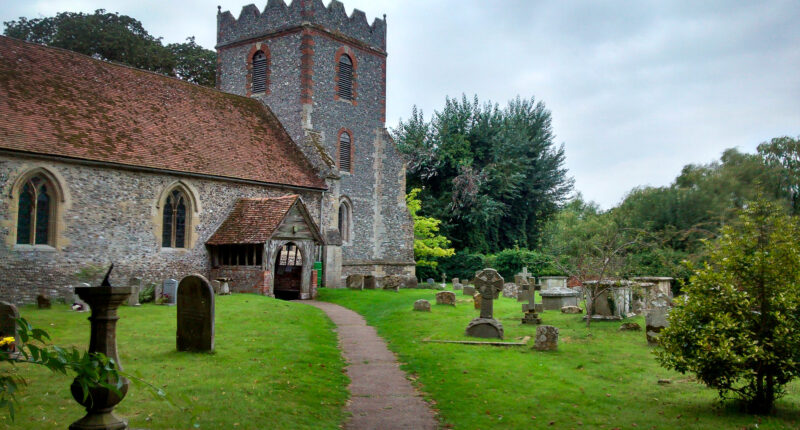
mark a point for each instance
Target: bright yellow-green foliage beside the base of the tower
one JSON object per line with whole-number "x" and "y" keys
{"x": 428, "y": 244}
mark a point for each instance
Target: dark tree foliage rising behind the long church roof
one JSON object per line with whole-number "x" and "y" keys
{"x": 119, "y": 38}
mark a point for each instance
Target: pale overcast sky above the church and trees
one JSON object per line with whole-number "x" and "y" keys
{"x": 637, "y": 89}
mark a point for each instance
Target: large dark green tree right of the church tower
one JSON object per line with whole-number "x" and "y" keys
{"x": 492, "y": 176}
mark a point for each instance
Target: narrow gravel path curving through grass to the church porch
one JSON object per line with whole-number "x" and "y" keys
{"x": 380, "y": 395}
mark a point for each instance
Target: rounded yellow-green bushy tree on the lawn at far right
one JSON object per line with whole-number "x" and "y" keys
{"x": 737, "y": 327}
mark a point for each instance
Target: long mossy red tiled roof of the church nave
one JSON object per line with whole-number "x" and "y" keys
{"x": 61, "y": 103}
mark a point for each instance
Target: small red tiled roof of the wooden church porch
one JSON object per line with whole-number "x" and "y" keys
{"x": 252, "y": 220}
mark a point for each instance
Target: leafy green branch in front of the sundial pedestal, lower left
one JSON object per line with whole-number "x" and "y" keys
{"x": 90, "y": 369}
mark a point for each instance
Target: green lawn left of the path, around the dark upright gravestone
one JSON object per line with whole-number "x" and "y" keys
{"x": 276, "y": 365}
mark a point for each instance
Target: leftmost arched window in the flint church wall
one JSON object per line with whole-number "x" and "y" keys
{"x": 36, "y": 212}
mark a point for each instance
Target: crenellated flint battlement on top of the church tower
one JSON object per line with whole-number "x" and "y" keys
{"x": 277, "y": 16}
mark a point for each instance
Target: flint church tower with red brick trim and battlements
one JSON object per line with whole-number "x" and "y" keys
{"x": 323, "y": 74}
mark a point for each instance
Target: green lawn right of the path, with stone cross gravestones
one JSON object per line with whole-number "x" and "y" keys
{"x": 598, "y": 379}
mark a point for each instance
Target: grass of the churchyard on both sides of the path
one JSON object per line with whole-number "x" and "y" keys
{"x": 277, "y": 362}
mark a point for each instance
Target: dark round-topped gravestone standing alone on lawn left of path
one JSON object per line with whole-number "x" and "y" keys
{"x": 195, "y": 314}
